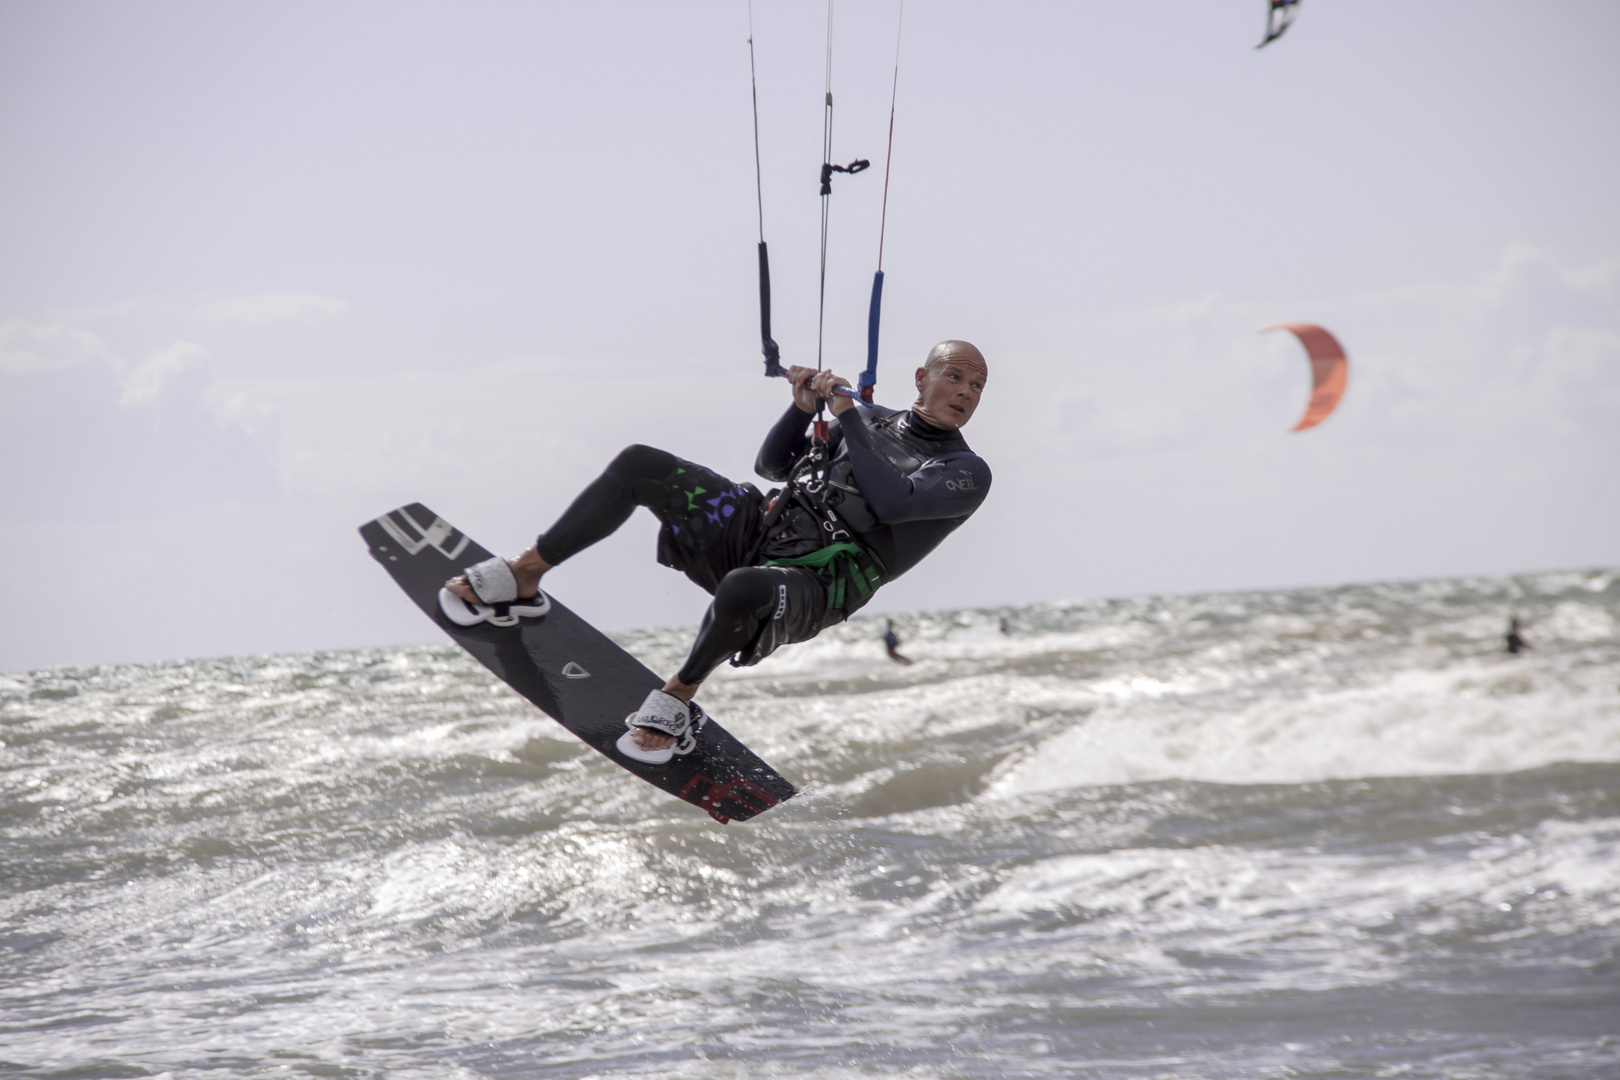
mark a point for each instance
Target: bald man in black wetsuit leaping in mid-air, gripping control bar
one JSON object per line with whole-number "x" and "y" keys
{"x": 853, "y": 514}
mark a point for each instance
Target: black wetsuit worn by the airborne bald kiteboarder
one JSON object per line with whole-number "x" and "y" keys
{"x": 889, "y": 487}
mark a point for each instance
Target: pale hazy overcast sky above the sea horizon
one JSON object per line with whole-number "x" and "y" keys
{"x": 268, "y": 271}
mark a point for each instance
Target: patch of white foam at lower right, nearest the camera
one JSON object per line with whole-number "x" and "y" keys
{"x": 1316, "y": 904}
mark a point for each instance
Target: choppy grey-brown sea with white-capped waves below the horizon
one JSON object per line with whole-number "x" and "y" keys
{"x": 1323, "y": 833}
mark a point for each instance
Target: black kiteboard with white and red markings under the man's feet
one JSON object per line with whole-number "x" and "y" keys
{"x": 571, "y": 671}
